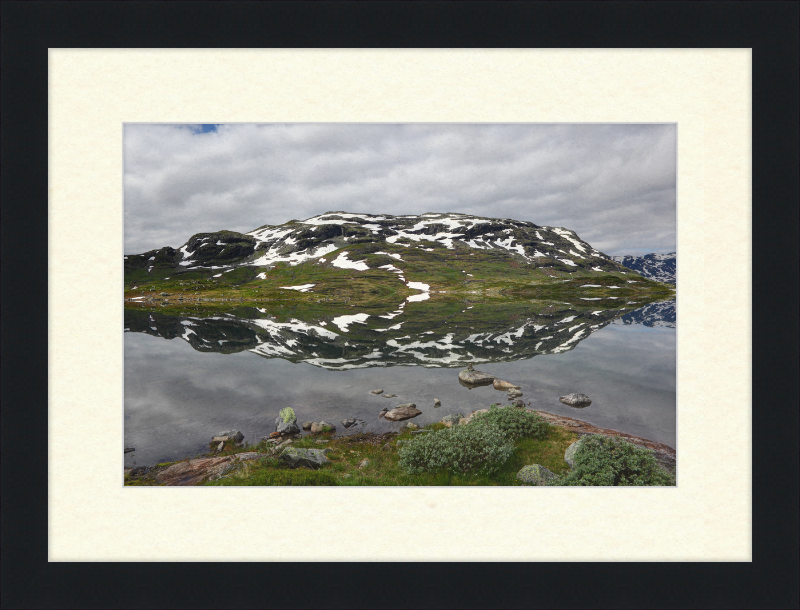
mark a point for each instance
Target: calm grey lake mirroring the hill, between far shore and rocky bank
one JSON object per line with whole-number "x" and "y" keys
{"x": 188, "y": 377}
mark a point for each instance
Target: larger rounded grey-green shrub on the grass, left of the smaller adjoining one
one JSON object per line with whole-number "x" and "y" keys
{"x": 481, "y": 449}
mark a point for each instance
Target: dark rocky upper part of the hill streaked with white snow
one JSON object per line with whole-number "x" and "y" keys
{"x": 313, "y": 239}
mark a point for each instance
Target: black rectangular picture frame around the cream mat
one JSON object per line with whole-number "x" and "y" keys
{"x": 769, "y": 28}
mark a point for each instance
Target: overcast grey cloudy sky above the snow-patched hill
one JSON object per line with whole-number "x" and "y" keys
{"x": 613, "y": 184}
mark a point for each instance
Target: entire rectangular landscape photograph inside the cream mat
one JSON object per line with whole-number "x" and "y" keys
{"x": 430, "y": 304}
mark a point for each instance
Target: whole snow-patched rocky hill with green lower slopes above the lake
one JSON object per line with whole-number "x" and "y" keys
{"x": 414, "y": 253}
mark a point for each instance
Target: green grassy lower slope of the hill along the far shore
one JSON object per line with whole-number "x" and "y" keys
{"x": 462, "y": 271}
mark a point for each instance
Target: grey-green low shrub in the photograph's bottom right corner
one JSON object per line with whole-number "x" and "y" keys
{"x": 601, "y": 460}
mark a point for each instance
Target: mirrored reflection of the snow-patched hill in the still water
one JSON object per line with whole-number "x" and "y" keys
{"x": 450, "y": 338}
